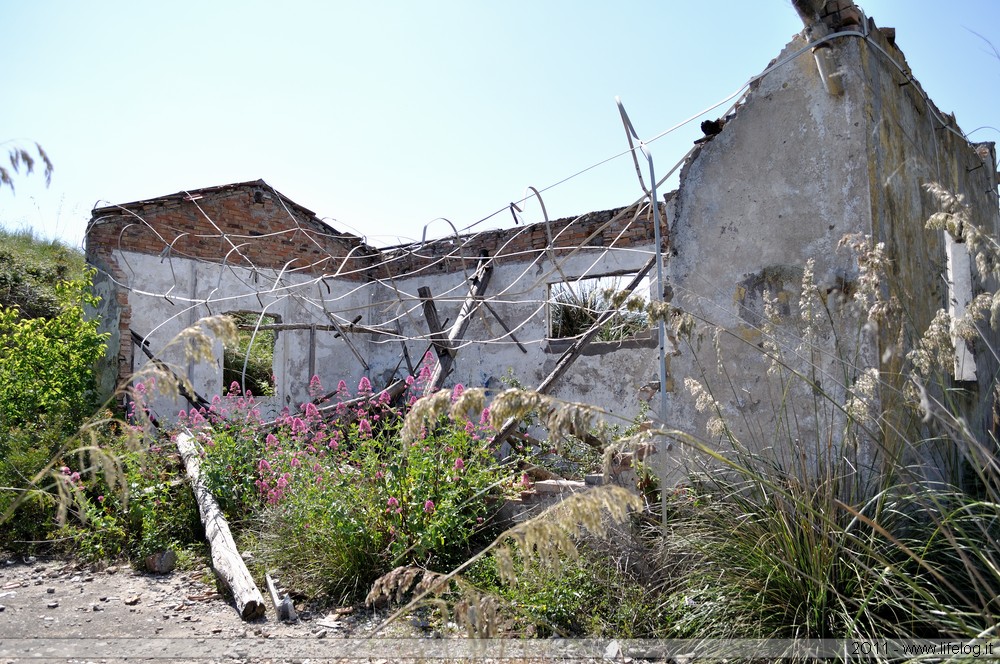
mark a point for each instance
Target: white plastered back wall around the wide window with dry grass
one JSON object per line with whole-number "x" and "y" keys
{"x": 607, "y": 375}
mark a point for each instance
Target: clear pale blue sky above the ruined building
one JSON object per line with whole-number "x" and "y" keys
{"x": 381, "y": 116}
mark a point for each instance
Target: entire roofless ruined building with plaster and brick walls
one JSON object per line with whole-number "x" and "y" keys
{"x": 835, "y": 138}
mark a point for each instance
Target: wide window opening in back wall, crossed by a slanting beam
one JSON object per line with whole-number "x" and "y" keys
{"x": 575, "y": 305}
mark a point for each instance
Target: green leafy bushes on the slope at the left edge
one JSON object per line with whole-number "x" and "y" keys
{"x": 47, "y": 357}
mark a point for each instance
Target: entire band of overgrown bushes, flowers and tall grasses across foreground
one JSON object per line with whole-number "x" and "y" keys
{"x": 837, "y": 534}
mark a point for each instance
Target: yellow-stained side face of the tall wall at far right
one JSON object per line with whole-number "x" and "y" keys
{"x": 912, "y": 143}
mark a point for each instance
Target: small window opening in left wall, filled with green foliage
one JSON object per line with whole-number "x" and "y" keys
{"x": 260, "y": 365}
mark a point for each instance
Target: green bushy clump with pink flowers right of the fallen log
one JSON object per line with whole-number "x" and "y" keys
{"x": 335, "y": 504}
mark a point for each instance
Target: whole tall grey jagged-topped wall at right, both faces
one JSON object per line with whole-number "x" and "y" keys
{"x": 794, "y": 171}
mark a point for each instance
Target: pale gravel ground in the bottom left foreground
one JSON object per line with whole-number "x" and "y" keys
{"x": 63, "y": 611}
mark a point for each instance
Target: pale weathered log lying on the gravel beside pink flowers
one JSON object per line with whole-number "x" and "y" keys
{"x": 226, "y": 559}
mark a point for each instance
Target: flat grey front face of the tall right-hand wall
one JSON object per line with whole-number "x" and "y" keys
{"x": 782, "y": 183}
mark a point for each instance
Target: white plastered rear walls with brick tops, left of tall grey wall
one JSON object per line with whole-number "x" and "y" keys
{"x": 165, "y": 292}
